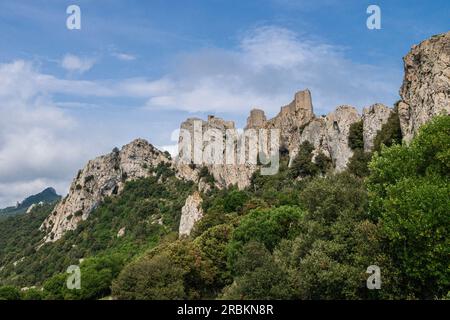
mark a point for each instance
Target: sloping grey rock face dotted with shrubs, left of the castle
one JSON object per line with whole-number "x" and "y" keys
{"x": 102, "y": 177}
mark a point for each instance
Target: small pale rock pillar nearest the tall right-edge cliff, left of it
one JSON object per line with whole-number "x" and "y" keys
{"x": 373, "y": 119}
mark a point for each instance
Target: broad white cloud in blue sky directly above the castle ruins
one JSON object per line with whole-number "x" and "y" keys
{"x": 266, "y": 69}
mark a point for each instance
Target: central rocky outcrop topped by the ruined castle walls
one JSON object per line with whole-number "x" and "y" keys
{"x": 296, "y": 123}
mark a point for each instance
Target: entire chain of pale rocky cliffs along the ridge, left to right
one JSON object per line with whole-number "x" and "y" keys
{"x": 425, "y": 93}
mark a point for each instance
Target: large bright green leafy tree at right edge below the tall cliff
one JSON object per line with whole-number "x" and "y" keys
{"x": 409, "y": 189}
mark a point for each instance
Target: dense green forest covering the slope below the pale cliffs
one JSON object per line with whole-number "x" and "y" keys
{"x": 303, "y": 233}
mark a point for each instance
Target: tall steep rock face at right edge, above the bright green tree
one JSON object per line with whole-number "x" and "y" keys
{"x": 426, "y": 85}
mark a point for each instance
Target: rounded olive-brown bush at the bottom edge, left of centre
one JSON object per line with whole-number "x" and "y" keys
{"x": 175, "y": 271}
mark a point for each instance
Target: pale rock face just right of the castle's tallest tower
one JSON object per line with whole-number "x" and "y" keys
{"x": 337, "y": 130}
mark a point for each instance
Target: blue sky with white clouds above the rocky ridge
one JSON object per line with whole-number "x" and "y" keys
{"x": 139, "y": 68}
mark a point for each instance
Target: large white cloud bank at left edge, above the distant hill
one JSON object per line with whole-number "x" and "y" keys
{"x": 40, "y": 145}
